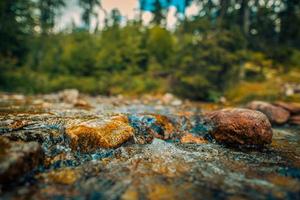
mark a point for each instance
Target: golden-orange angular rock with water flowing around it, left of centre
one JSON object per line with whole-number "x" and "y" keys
{"x": 110, "y": 133}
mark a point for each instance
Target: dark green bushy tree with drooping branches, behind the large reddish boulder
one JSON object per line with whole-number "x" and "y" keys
{"x": 208, "y": 64}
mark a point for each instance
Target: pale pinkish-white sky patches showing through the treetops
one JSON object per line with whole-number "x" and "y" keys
{"x": 128, "y": 8}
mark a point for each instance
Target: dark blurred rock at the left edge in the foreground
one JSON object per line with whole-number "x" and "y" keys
{"x": 18, "y": 158}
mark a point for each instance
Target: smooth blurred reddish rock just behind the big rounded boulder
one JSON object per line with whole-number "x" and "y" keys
{"x": 275, "y": 114}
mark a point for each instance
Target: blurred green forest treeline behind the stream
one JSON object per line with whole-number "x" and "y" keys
{"x": 201, "y": 58}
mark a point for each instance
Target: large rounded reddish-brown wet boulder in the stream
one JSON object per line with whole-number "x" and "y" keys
{"x": 240, "y": 127}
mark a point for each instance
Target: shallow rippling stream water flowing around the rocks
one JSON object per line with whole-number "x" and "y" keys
{"x": 162, "y": 169}
